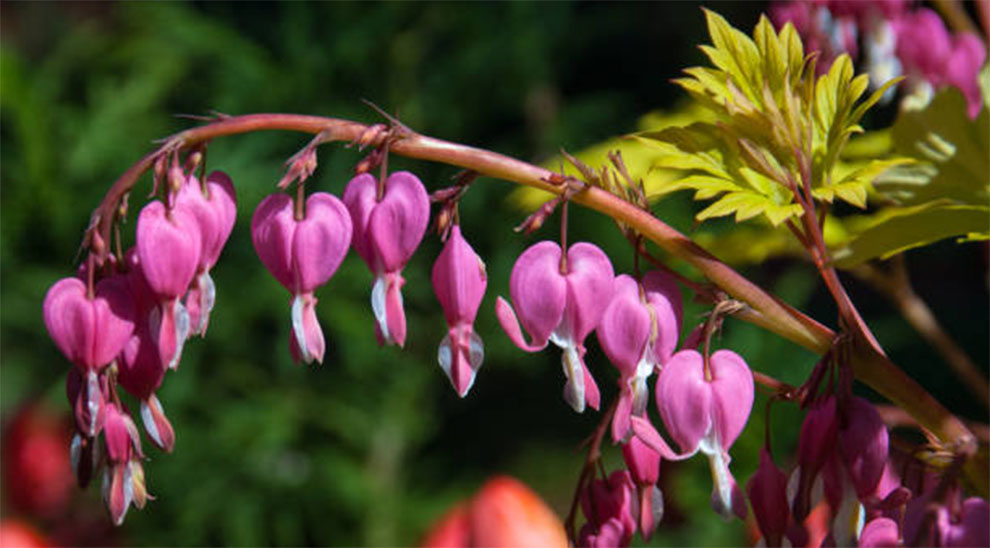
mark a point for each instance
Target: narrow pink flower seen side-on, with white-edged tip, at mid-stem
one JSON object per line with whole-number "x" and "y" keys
{"x": 459, "y": 281}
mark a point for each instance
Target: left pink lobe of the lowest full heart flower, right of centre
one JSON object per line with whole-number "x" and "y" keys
{"x": 685, "y": 399}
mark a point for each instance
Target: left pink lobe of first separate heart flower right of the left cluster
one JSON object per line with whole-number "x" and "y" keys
{"x": 272, "y": 227}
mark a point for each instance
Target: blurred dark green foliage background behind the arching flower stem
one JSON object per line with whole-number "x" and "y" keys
{"x": 370, "y": 447}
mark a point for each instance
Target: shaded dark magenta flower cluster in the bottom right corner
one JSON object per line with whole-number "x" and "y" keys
{"x": 849, "y": 488}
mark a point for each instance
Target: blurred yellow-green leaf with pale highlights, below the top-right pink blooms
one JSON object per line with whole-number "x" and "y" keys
{"x": 952, "y": 151}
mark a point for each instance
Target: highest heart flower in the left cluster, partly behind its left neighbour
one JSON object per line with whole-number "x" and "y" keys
{"x": 214, "y": 206}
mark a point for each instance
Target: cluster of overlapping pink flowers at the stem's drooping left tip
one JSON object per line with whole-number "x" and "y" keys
{"x": 124, "y": 323}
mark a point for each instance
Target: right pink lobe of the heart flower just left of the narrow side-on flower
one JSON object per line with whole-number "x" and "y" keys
{"x": 398, "y": 222}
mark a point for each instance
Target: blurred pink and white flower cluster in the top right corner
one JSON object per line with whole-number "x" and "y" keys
{"x": 896, "y": 40}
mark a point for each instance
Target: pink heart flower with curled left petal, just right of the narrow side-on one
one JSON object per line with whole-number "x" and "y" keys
{"x": 560, "y": 303}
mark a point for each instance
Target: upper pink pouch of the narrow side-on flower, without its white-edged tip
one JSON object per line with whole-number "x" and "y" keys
{"x": 459, "y": 279}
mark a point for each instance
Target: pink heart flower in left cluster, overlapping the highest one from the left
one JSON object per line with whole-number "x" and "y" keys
{"x": 168, "y": 244}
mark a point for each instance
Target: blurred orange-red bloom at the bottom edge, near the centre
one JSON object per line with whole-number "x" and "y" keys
{"x": 503, "y": 513}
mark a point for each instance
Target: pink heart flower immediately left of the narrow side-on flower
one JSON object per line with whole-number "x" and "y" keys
{"x": 387, "y": 231}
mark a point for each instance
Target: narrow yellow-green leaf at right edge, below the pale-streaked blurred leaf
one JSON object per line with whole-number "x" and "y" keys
{"x": 898, "y": 229}
